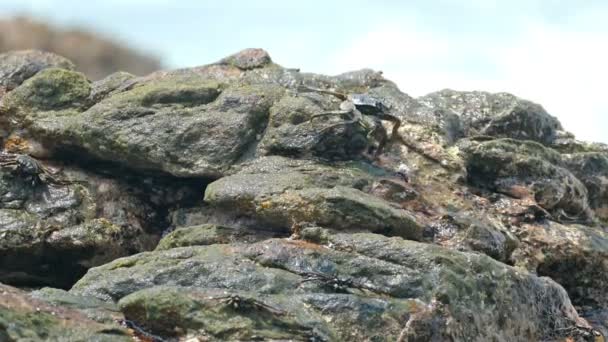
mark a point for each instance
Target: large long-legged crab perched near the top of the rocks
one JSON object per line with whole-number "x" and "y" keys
{"x": 357, "y": 107}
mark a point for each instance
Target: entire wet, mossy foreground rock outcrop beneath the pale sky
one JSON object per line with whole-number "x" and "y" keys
{"x": 215, "y": 203}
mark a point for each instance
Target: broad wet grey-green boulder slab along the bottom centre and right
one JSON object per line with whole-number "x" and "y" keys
{"x": 357, "y": 287}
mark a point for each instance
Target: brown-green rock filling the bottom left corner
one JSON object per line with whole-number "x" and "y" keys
{"x": 24, "y": 318}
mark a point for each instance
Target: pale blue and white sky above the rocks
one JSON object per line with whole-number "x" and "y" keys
{"x": 552, "y": 52}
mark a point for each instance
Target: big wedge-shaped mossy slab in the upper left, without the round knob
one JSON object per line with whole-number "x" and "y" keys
{"x": 187, "y": 127}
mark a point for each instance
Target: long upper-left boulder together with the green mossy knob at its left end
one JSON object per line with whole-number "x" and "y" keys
{"x": 184, "y": 126}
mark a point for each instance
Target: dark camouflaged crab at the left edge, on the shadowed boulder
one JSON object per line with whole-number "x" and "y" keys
{"x": 28, "y": 168}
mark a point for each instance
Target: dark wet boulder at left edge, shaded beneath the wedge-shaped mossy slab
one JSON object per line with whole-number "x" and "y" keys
{"x": 51, "y": 233}
